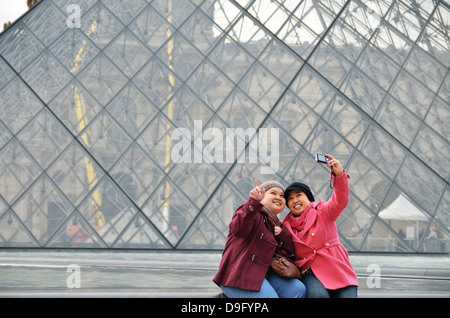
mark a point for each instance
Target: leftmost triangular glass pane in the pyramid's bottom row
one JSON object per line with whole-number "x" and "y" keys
{"x": 13, "y": 233}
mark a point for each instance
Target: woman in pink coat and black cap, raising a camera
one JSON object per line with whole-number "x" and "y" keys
{"x": 324, "y": 262}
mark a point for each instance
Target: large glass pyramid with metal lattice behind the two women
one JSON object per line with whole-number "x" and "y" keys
{"x": 114, "y": 119}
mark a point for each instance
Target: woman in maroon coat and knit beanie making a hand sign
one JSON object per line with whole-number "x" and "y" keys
{"x": 255, "y": 236}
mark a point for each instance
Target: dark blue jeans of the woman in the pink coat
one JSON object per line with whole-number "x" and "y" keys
{"x": 315, "y": 289}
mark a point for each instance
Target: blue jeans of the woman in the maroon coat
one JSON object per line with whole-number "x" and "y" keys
{"x": 273, "y": 286}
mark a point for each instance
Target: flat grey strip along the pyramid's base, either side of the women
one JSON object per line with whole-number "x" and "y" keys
{"x": 69, "y": 274}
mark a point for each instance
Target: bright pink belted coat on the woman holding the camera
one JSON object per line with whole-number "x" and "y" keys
{"x": 318, "y": 245}
